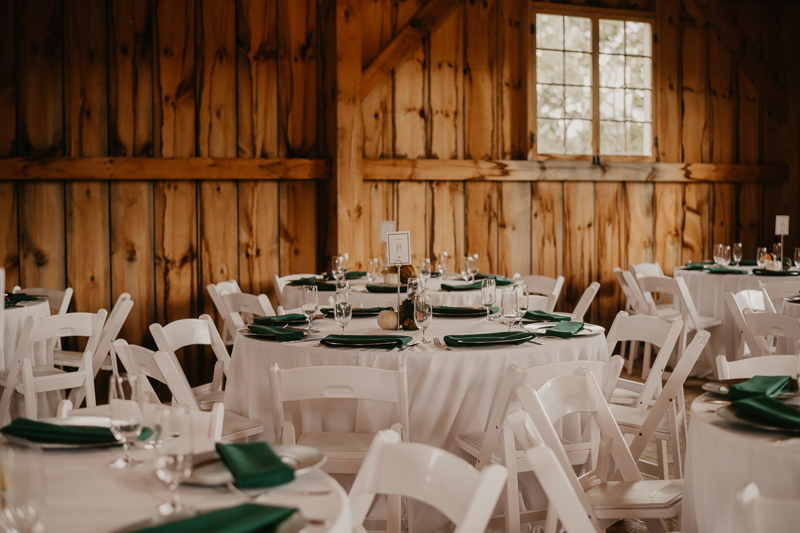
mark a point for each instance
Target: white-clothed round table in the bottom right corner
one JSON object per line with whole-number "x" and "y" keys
{"x": 723, "y": 457}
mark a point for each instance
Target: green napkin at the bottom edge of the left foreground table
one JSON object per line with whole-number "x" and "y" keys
{"x": 245, "y": 518}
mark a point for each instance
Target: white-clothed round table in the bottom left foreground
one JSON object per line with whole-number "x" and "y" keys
{"x": 85, "y": 495}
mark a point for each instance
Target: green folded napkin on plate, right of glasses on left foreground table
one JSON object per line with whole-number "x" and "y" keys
{"x": 255, "y": 465}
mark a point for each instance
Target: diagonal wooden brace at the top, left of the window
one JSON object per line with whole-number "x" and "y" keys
{"x": 405, "y": 42}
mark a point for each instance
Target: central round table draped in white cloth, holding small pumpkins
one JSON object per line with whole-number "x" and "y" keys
{"x": 450, "y": 392}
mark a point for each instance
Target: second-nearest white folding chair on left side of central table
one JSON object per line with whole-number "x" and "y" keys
{"x": 196, "y": 332}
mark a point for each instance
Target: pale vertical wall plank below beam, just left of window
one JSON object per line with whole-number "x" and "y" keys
{"x": 514, "y": 228}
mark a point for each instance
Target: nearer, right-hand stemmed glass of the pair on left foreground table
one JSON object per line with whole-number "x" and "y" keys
{"x": 174, "y": 453}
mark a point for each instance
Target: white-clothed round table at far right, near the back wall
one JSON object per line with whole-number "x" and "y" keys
{"x": 708, "y": 292}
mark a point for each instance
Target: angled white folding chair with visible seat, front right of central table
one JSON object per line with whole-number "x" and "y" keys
{"x": 627, "y": 496}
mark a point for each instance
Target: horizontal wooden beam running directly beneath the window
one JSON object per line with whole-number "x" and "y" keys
{"x": 472, "y": 170}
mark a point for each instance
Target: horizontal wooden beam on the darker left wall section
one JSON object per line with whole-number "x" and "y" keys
{"x": 162, "y": 168}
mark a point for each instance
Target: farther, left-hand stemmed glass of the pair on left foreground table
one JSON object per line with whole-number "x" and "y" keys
{"x": 125, "y": 398}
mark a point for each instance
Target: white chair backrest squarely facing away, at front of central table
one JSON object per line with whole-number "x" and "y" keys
{"x": 351, "y": 382}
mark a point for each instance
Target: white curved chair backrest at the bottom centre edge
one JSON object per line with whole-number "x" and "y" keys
{"x": 430, "y": 475}
